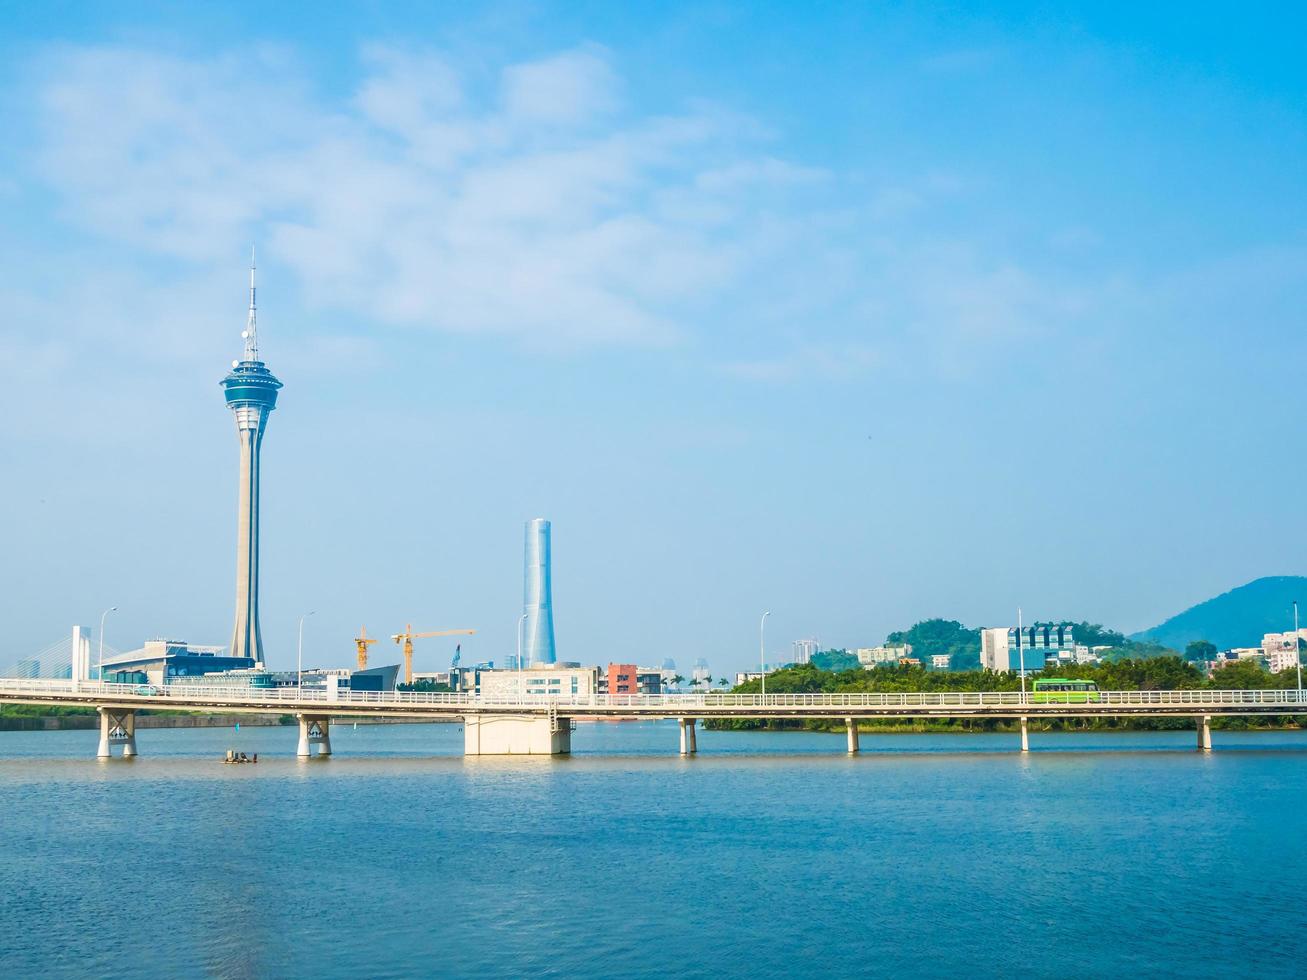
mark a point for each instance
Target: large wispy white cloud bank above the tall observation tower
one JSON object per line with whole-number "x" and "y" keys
{"x": 533, "y": 208}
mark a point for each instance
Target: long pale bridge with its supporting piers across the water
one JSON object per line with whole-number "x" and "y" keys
{"x": 542, "y": 726}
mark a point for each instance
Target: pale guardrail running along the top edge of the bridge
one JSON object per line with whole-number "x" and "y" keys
{"x": 189, "y": 696}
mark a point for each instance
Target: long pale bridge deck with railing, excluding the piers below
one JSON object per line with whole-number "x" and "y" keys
{"x": 1006, "y": 705}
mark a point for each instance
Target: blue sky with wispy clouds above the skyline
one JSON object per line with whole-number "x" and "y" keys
{"x": 861, "y": 314}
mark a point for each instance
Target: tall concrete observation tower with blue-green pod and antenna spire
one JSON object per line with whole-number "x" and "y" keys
{"x": 252, "y": 394}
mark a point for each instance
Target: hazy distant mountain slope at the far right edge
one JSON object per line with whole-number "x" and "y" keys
{"x": 1236, "y": 619}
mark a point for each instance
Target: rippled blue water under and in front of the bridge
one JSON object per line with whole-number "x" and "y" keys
{"x": 768, "y": 855}
